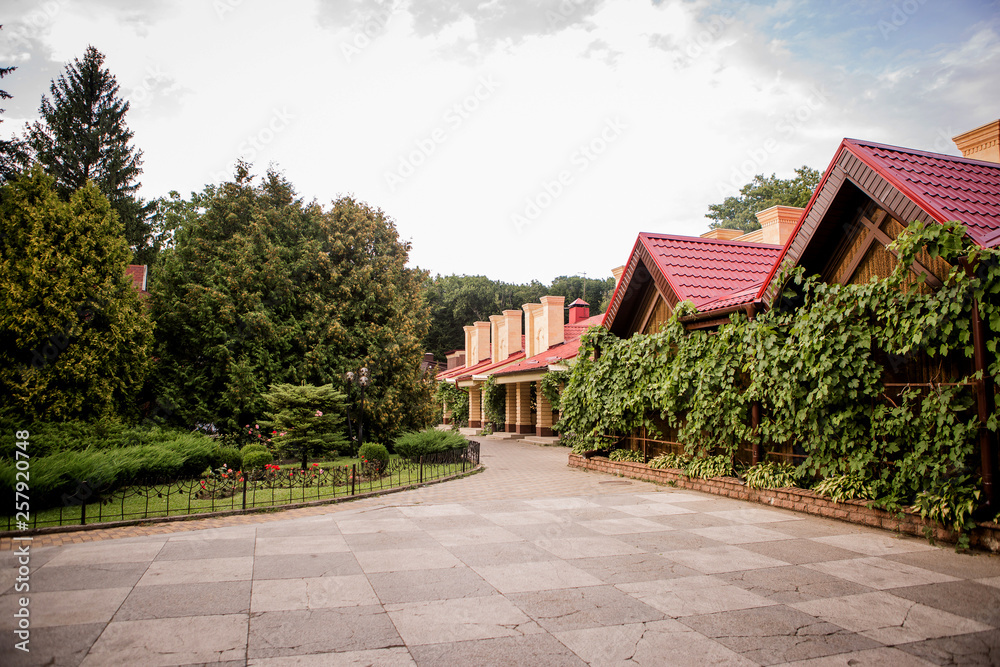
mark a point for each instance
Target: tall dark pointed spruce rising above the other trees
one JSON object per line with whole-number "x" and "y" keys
{"x": 83, "y": 136}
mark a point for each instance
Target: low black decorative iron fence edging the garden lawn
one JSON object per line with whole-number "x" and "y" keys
{"x": 270, "y": 487}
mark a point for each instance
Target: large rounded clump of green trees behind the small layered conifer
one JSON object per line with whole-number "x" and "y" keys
{"x": 262, "y": 288}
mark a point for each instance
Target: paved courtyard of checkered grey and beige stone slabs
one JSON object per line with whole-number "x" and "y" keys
{"x": 528, "y": 563}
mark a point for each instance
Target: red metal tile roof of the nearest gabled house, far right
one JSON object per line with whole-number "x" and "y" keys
{"x": 947, "y": 187}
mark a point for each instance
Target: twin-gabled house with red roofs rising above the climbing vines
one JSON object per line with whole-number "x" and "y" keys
{"x": 868, "y": 194}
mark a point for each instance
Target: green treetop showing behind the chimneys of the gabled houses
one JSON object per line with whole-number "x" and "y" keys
{"x": 762, "y": 193}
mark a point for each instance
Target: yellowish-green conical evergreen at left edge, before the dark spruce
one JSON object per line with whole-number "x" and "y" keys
{"x": 74, "y": 337}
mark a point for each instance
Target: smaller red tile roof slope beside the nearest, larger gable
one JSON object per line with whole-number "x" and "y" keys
{"x": 703, "y": 270}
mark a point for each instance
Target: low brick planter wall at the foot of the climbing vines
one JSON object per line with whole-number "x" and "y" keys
{"x": 985, "y": 535}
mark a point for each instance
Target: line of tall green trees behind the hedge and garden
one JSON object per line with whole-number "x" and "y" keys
{"x": 250, "y": 286}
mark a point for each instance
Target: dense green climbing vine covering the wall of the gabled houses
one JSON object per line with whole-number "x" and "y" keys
{"x": 817, "y": 363}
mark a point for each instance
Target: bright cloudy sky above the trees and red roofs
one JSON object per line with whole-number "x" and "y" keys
{"x": 519, "y": 140}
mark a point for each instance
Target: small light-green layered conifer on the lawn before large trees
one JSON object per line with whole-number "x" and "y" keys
{"x": 308, "y": 420}
